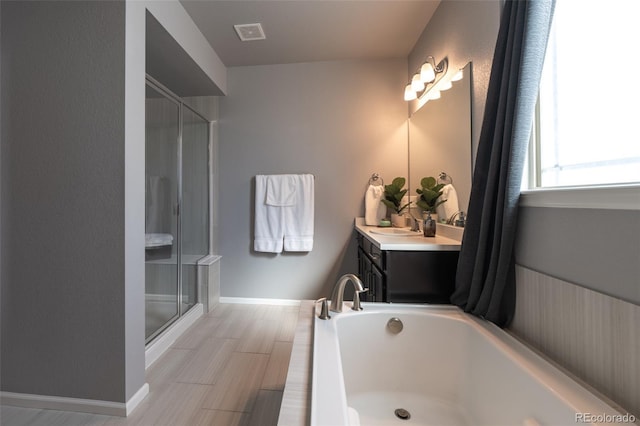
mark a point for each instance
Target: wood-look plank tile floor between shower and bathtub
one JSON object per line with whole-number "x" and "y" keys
{"x": 228, "y": 369}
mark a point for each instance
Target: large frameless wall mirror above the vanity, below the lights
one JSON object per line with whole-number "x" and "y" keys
{"x": 440, "y": 141}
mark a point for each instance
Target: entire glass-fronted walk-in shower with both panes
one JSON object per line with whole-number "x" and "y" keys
{"x": 177, "y": 206}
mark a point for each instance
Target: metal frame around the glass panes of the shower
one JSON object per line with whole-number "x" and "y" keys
{"x": 169, "y": 95}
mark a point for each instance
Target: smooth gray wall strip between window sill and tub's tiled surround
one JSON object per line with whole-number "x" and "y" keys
{"x": 595, "y": 248}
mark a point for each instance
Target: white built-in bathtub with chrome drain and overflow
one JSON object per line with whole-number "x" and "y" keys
{"x": 444, "y": 368}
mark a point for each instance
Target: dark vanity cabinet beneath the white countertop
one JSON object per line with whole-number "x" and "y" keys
{"x": 406, "y": 276}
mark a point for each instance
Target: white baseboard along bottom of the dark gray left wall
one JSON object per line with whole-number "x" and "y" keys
{"x": 61, "y": 403}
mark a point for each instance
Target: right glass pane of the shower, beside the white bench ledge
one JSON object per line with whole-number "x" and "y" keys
{"x": 194, "y": 215}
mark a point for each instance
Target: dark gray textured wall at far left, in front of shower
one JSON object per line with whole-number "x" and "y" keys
{"x": 63, "y": 260}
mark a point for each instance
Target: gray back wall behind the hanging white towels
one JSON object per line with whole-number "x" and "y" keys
{"x": 341, "y": 121}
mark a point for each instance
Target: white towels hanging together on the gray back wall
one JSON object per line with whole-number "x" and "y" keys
{"x": 283, "y": 225}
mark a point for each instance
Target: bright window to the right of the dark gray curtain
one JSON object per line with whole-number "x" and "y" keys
{"x": 587, "y": 129}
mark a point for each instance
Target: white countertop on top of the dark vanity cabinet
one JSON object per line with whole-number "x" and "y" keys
{"x": 417, "y": 242}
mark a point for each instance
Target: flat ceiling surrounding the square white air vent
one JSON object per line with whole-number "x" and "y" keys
{"x": 312, "y": 30}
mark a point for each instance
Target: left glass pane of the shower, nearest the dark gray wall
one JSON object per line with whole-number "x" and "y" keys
{"x": 161, "y": 213}
